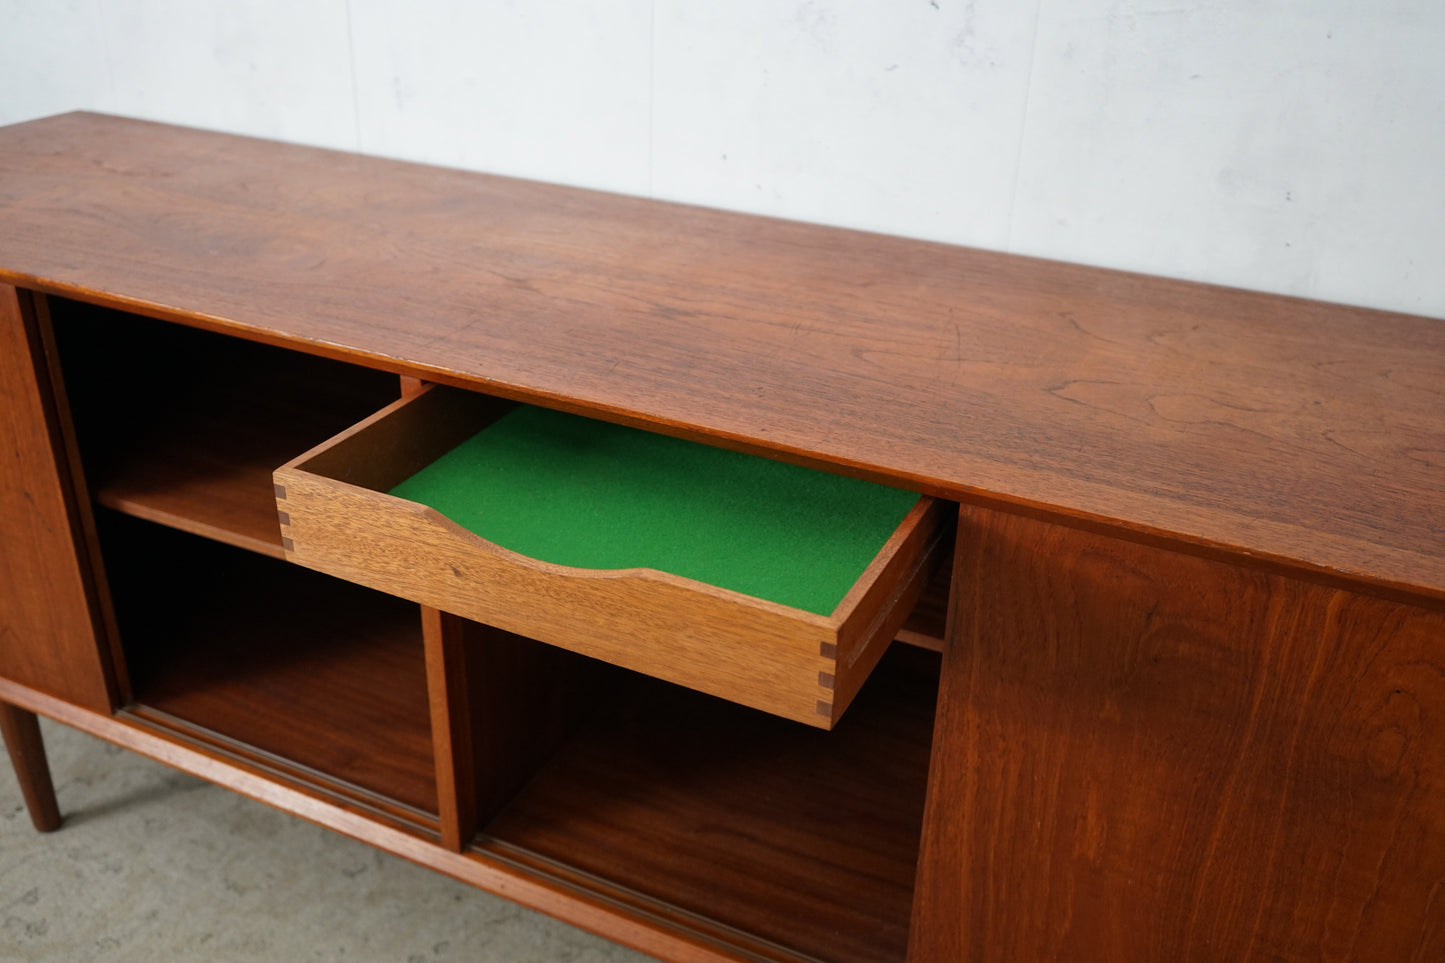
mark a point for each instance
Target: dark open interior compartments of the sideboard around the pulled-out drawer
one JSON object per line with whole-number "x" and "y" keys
{"x": 764, "y": 835}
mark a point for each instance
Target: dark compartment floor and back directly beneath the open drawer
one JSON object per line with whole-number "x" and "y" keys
{"x": 784, "y": 836}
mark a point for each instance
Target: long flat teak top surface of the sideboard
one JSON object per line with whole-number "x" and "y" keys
{"x": 1254, "y": 424}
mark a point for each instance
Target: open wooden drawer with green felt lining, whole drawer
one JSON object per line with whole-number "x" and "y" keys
{"x": 343, "y": 513}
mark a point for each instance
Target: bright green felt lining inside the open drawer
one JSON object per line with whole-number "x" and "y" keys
{"x": 593, "y": 495}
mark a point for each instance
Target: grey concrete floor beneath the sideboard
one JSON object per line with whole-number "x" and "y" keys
{"x": 155, "y": 865}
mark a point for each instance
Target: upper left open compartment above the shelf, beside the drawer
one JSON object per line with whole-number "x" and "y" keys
{"x": 184, "y": 427}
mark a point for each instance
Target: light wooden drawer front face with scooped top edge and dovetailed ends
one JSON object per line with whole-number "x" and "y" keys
{"x": 691, "y": 635}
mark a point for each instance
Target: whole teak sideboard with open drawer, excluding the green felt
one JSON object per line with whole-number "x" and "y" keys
{"x": 1170, "y": 675}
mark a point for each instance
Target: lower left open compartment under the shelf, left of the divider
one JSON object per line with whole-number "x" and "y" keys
{"x": 275, "y": 662}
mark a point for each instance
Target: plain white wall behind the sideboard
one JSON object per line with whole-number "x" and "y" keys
{"x": 1282, "y": 145}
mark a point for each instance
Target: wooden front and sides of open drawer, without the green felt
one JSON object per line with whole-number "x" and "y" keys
{"x": 337, "y": 518}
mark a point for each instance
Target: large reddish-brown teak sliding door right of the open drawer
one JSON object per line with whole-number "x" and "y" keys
{"x": 1151, "y": 757}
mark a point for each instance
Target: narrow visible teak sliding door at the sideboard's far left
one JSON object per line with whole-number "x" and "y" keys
{"x": 50, "y": 638}
